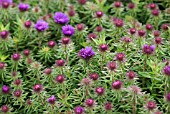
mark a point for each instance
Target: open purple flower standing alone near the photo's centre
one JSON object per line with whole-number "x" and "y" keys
{"x": 86, "y": 53}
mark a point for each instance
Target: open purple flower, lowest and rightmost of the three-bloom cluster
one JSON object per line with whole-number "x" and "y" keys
{"x": 68, "y": 30}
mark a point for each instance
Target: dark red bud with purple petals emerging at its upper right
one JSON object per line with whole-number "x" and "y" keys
{"x": 148, "y": 49}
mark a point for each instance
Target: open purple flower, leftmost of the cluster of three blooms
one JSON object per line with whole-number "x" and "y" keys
{"x": 41, "y": 25}
